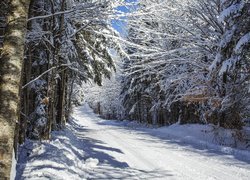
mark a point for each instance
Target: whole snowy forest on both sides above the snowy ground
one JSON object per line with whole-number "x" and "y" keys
{"x": 157, "y": 62}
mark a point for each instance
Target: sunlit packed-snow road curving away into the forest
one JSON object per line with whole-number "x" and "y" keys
{"x": 159, "y": 158}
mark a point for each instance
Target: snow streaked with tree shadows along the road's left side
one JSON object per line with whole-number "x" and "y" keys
{"x": 69, "y": 152}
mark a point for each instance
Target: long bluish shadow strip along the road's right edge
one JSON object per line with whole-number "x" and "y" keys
{"x": 180, "y": 144}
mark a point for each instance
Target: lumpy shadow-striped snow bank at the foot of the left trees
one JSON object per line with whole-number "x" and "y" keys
{"x": 57, "y": 159}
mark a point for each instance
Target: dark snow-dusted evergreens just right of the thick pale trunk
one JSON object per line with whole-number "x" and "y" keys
{"x": 67, "y": 42}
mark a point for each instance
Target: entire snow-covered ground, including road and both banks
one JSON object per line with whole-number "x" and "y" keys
{"x": 92, "y": 148}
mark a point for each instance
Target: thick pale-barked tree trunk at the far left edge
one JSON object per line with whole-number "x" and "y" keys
{"x": 10, "y": 75}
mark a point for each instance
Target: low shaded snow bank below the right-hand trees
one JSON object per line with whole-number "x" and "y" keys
{"x": 205, "y": 135}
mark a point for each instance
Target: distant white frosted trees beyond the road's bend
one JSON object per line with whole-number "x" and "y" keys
{"x": 105, "y": 99}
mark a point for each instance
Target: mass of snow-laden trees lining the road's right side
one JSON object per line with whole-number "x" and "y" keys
{"x": 190, "y": 63}
